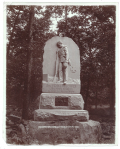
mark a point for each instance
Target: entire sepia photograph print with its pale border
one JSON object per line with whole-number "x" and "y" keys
{"x": 60, "y": 73}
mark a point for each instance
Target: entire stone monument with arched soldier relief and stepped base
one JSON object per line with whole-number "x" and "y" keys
{"x": 61, "y": 106}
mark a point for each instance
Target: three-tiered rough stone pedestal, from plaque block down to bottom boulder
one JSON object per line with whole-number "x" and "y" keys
{"x": 62, "y": 120}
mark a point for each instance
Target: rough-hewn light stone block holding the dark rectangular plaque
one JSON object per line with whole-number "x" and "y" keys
{"x": 61, "y": 101}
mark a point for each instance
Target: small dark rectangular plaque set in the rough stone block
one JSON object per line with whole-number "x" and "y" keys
{"x": 61, "y": 101}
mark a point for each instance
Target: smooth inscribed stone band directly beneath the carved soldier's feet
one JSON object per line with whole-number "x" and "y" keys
{"x": 60, "y": 88}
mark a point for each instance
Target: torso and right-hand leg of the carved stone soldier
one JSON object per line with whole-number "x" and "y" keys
{"x": 63, "y": 59}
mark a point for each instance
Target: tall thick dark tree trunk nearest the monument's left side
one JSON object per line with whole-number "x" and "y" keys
{"x": 28, "y": 69}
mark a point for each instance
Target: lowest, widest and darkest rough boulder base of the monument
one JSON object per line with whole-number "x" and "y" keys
{"x": 65, "y": 132}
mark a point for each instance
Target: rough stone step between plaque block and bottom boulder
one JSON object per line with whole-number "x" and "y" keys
{"x": 60, "y": 114}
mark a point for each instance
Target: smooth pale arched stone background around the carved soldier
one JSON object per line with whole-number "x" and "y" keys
{"x": 49, "y": 57}
